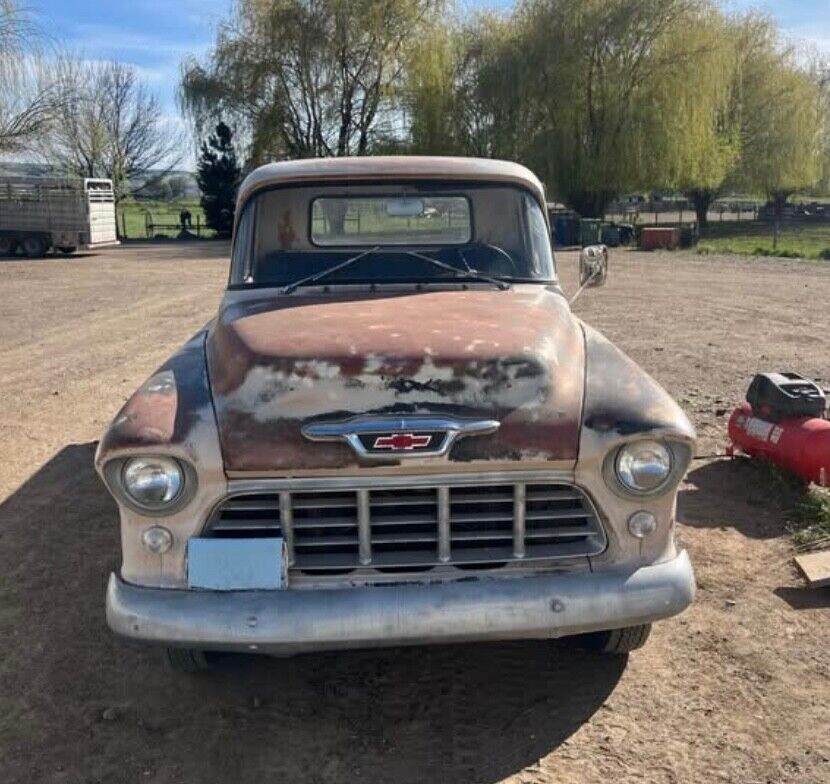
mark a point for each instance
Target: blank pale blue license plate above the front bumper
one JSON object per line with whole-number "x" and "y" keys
{"x": 236, "y": 564}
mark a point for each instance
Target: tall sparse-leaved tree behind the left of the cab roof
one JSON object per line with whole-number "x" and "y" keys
{"x": 306, "y": 78}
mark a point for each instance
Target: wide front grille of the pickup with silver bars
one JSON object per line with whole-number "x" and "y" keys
{"x": 413, "y": 528}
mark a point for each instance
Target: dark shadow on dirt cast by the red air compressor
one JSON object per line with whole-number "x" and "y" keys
{"x": 733, "y": 490}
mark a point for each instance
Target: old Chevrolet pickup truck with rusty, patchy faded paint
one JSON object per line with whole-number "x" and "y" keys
{"x": 395, "y": 432}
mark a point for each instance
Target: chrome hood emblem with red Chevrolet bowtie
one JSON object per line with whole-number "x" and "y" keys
{"x": 385, "y": 438}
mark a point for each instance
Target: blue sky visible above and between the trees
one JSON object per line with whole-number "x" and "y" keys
{"x": 155, "y": 35}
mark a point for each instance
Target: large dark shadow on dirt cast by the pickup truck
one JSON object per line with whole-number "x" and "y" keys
{"x": 79, "y": 705}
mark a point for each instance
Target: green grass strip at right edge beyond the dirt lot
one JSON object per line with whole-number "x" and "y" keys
{"x": 810, "y": 241}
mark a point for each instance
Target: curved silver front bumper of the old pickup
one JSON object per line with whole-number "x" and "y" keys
{"x": 292, "y": 621}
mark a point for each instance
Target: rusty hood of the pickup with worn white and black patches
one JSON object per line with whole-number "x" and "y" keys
{"x": 277, "y": 363}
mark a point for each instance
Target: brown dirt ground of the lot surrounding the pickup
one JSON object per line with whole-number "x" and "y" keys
{"x": 735, "y": 690}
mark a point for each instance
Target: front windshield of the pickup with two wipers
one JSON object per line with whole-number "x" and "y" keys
{"x": 417, "y": 233}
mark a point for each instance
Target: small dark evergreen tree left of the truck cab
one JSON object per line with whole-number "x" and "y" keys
{"x": 219, "y": 174}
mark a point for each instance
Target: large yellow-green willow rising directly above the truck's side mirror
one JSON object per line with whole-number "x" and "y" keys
{"x": 592, "y": 67}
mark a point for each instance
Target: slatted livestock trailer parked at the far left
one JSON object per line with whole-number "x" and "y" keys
{"x": 42, "y": 213}
